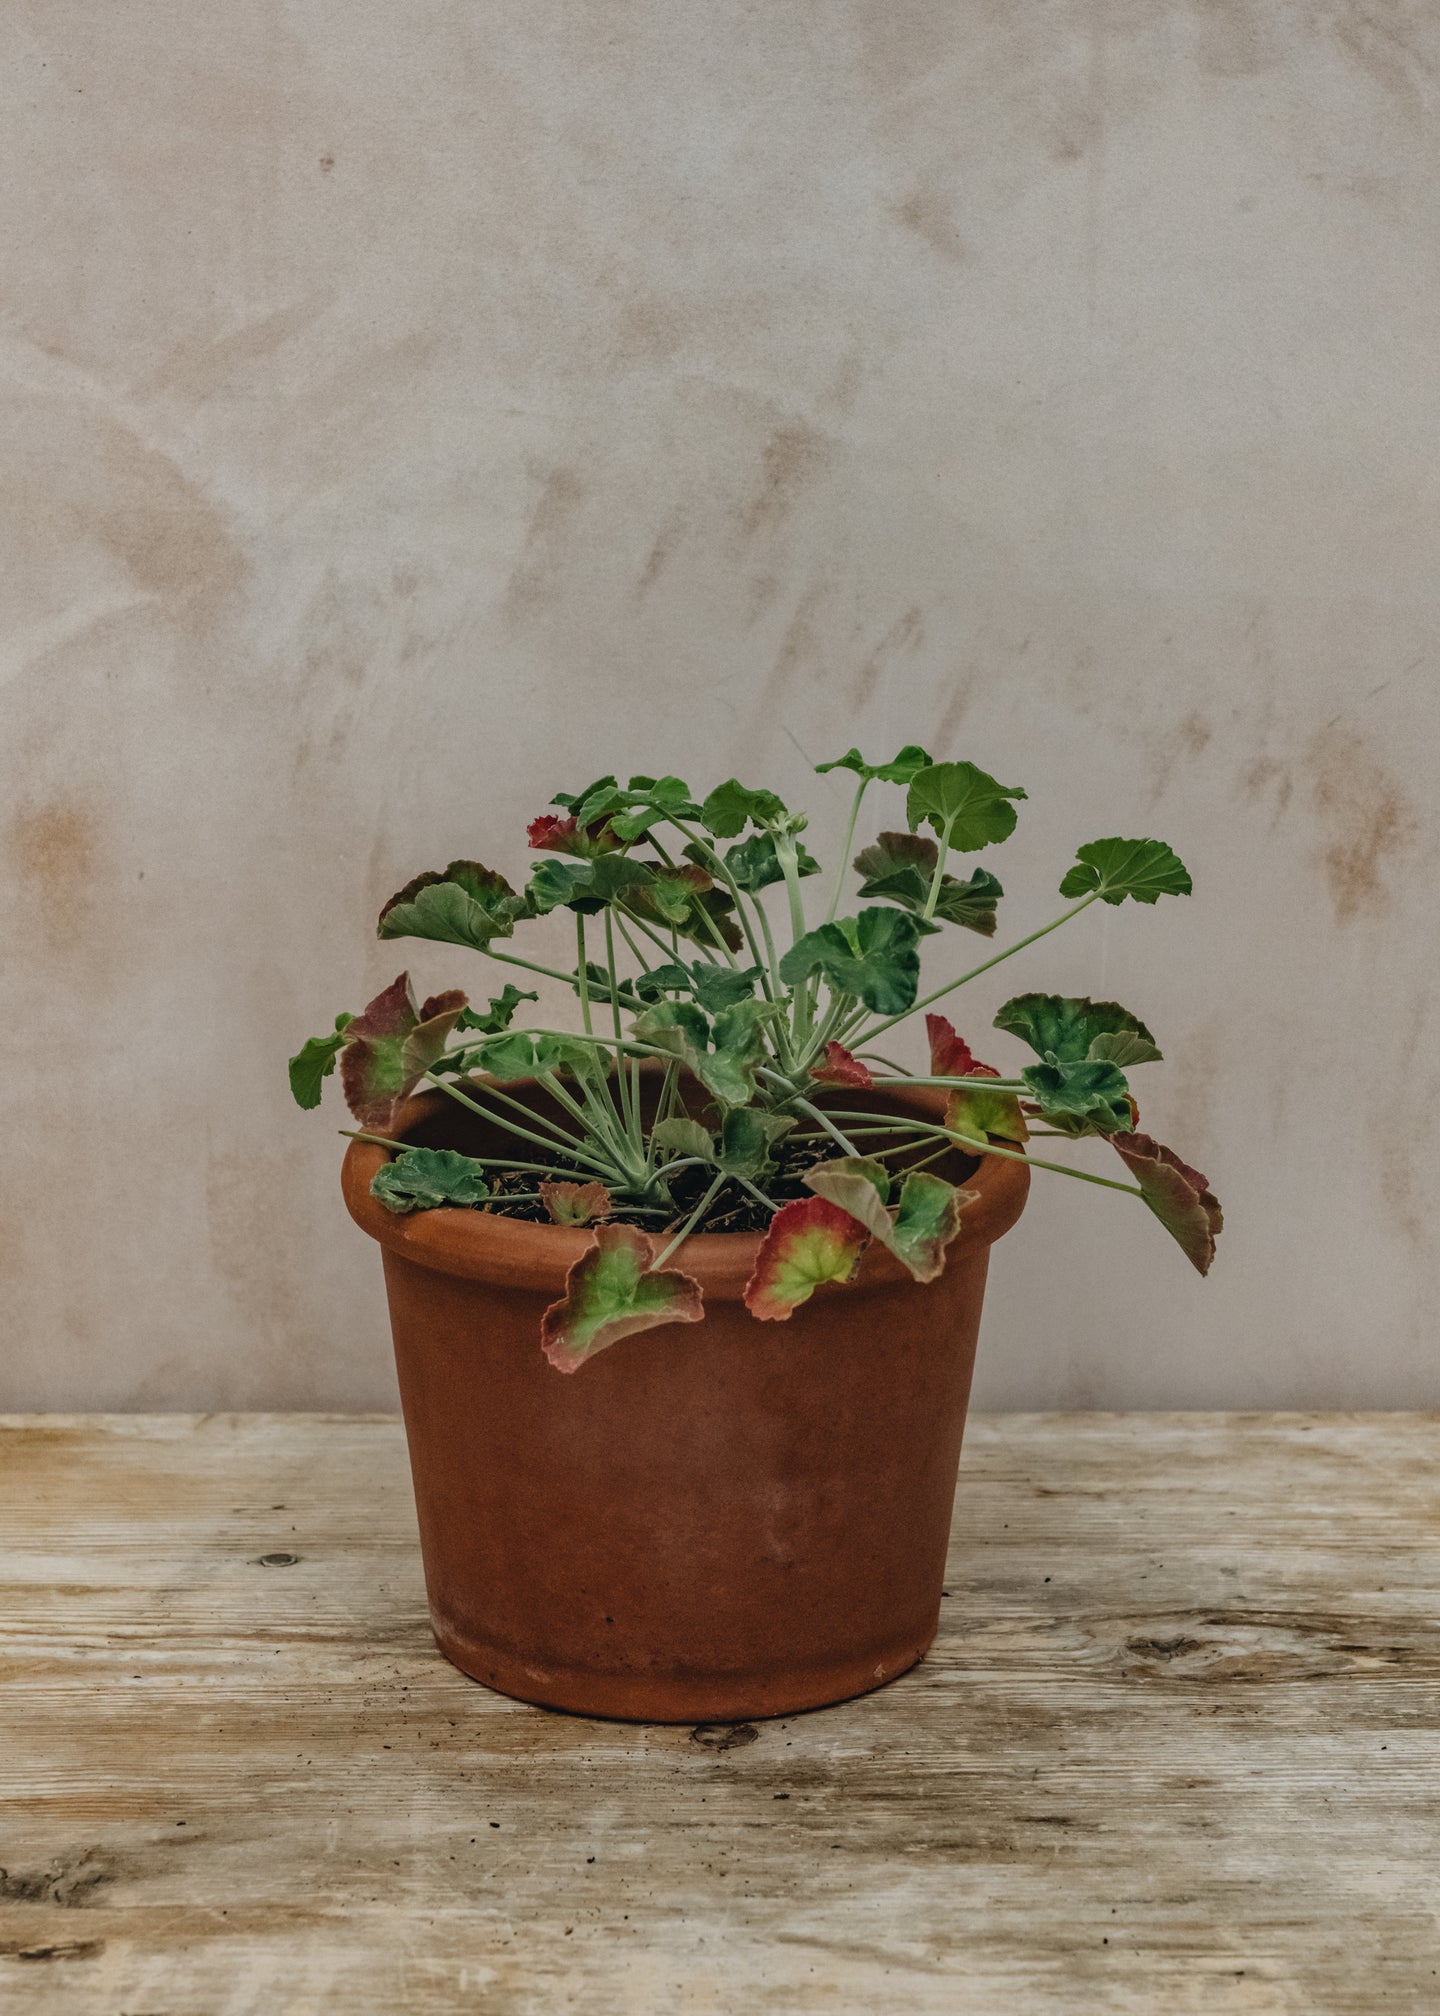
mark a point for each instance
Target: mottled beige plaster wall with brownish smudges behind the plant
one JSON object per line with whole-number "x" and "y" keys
{"x": 414, "y": 408}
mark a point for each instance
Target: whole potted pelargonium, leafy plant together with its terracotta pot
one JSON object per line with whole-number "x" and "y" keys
{"x": 755, "y": 1239}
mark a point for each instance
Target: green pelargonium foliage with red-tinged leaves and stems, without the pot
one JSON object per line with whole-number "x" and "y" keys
{"x": 725, "y": 1082}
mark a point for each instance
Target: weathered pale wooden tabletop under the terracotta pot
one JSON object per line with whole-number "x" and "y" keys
{"x": 1175, "y": 1749}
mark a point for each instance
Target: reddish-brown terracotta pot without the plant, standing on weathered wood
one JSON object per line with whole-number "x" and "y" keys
{"x": 711, "y": 1521}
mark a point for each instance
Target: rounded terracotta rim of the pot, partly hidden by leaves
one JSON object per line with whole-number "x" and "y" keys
{"x": 513, "y": 1253}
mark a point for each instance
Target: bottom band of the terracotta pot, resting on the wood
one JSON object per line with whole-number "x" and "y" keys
{"x": 675, "y": 1698}
